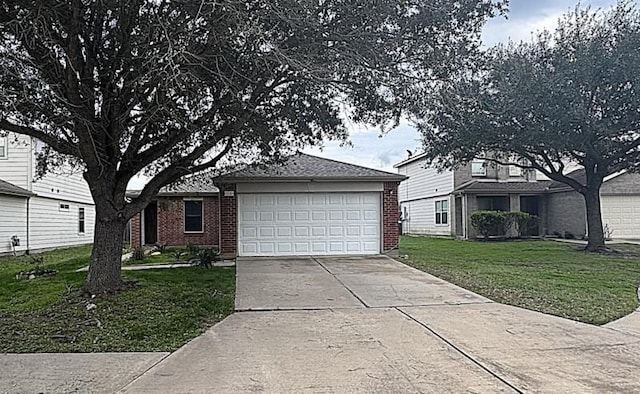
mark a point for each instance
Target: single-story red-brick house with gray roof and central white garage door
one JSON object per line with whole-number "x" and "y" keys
{"x": 306, "y": 205}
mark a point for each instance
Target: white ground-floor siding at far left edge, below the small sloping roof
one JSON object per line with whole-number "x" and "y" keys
{"x": 13, "y": 214}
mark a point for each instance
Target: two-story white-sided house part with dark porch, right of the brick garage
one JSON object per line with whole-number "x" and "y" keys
{"x": 441, "y": 202}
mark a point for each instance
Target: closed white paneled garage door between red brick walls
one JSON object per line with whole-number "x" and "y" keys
{"x": 308, "y": 224}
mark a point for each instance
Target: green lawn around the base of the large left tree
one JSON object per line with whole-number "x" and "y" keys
{"x": 162, "y": 311}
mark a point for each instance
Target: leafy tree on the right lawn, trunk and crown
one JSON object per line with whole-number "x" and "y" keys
{"x": 572, "y": 96}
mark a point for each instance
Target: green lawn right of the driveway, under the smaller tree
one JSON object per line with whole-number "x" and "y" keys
{"x": 546, "y": 276}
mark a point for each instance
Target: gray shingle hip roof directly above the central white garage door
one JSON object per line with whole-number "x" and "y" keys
{"x": 302, "y": 166}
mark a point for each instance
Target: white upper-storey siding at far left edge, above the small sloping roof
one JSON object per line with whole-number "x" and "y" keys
{"x": 16, "y": 167}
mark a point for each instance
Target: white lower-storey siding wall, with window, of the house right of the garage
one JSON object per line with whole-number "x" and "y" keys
{"x": 419, "y": 217}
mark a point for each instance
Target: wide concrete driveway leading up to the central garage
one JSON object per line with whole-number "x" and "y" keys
{"x": 371, "y": 324}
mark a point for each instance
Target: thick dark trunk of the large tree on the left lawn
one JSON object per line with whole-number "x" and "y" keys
{"x": 104, "y": 270}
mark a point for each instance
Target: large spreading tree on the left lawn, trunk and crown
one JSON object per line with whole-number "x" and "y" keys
{"x": 170, "y": 88}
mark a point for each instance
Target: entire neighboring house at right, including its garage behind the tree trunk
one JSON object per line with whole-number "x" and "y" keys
{"x": 438, "y": 202}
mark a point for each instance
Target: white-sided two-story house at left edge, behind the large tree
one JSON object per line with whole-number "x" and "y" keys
{"x": 52, "y": 212}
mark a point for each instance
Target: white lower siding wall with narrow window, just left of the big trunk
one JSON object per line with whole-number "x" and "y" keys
{"x": 51, "y": 227}
